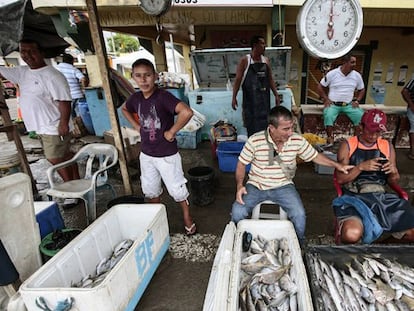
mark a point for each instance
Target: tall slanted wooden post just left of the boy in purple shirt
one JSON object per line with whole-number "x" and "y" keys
{"x": 98, "y": 43}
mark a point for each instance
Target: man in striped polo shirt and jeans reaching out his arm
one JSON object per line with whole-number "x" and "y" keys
{"x": 272, "y": 154}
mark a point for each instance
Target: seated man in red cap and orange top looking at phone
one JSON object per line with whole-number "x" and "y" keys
{"x": 366, "y": 210}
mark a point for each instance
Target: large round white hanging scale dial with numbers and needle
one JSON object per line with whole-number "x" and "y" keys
{"x": 329, "y": 28}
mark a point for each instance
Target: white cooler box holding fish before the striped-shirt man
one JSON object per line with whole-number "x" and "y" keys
{"x": 223, "y": 287}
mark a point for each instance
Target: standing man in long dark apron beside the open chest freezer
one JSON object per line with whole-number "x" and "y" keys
{"x": 254, "y": 74}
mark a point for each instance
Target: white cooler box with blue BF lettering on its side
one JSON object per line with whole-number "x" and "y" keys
{"x": 123, "y": 287}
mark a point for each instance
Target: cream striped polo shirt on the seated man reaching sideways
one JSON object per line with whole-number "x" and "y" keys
{"x": 264, "y": 175}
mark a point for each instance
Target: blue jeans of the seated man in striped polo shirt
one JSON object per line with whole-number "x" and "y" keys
{"x": 285, "y": 196}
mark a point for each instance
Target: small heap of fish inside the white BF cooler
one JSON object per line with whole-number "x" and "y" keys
{"x": 105, "y": 266}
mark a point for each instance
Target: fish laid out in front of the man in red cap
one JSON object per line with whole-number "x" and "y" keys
{"x": 368, "y": 282}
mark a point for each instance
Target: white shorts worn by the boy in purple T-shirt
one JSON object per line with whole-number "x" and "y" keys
{"x": 169, "y": 170}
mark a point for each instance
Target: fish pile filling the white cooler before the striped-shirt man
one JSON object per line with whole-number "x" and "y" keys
{"x": 267, "y": 281}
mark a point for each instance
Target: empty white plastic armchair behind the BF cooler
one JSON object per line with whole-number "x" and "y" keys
{"x": 99, "y": 158}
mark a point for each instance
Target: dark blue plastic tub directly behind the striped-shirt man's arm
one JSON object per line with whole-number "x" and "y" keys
{"x": 228, "y": 154}
